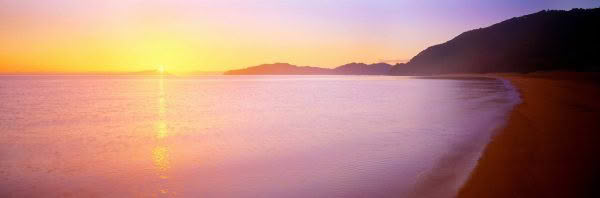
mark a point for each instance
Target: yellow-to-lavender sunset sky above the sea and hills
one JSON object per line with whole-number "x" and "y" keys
{"x": 186, "y": 35}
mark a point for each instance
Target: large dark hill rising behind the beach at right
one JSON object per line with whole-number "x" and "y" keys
{"x": 547, "y": 40}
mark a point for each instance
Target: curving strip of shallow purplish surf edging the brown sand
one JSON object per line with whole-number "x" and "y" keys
{"x": 454, "y": 169}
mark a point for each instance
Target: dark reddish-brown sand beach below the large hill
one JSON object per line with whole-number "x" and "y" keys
{"x": 549, "y": 146}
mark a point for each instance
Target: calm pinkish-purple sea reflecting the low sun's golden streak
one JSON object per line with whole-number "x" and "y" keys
{"x": 244, "y": 136}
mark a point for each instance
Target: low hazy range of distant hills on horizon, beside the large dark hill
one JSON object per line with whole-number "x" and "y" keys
{"x": 287, "y": 69}
